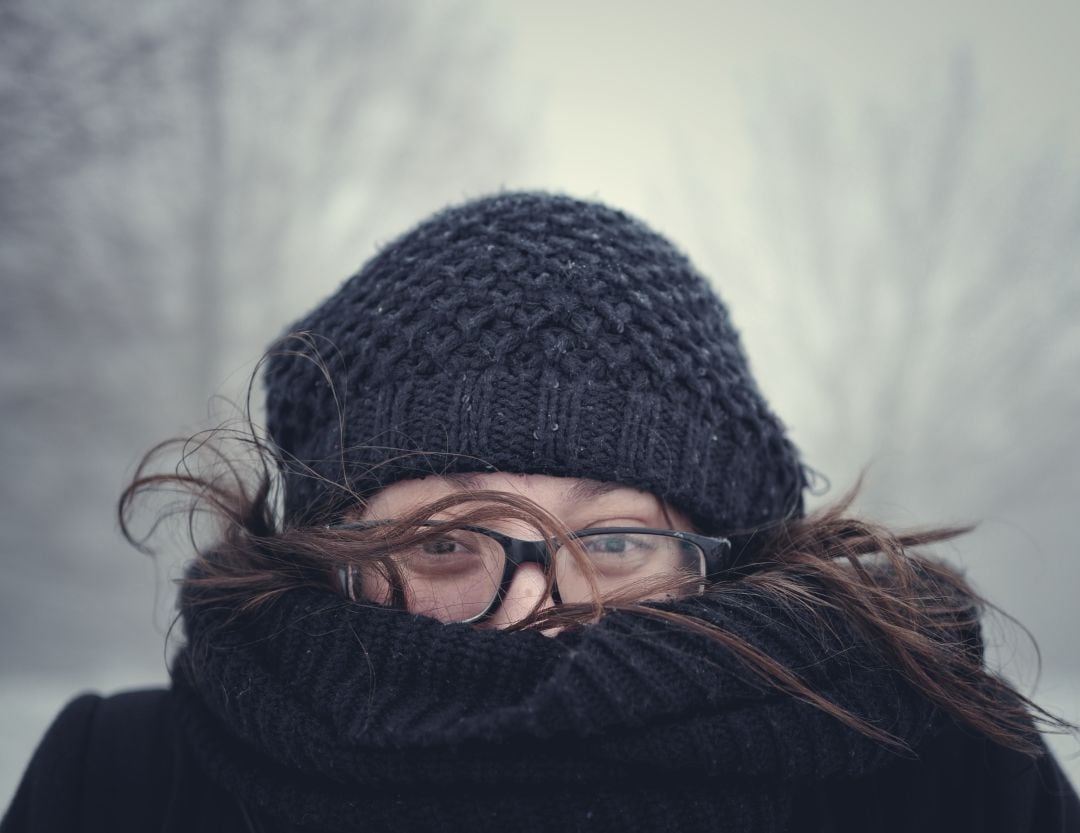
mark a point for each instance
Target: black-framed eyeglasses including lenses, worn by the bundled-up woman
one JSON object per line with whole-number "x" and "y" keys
{"x": 464, "y": 575}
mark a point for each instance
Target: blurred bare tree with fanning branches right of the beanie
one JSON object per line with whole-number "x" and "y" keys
{"x": 923, "y": 288}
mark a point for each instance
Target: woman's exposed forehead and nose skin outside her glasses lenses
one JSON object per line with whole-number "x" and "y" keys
{"x": 578, "y": 504}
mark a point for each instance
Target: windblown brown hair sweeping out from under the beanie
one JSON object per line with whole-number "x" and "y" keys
{"x": 920, "y": 613}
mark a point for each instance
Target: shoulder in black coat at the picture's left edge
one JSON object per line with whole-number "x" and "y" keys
{"x": 106, "y": 763}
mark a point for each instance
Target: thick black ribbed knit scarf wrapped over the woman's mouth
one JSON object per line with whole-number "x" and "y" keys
{"x": 320, "y": 715}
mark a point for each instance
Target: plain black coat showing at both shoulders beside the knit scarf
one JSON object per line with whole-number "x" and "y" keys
{"x": 120, "y": 764}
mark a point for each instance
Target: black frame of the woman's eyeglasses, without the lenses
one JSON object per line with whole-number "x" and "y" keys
{"x": 519, "y": 552}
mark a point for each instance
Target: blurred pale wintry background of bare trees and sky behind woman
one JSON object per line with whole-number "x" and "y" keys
{"x": 888, "y": 196}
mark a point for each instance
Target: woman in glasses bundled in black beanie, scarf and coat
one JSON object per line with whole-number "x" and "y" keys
{"x": 542, "y": 563}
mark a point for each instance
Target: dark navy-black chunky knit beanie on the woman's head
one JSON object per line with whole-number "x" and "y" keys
{"x": 537, "y": 334}
